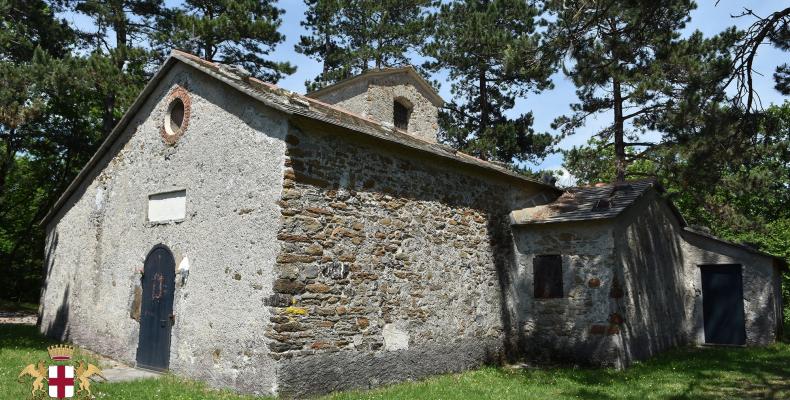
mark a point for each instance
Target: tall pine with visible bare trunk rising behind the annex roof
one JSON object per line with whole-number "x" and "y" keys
{"x": 628, "y": 59}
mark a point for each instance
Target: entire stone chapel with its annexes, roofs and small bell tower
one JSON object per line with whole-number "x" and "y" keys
{"x": 237, "y": 233}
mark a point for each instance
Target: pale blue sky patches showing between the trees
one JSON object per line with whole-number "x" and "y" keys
{"x": 709, "y": 18}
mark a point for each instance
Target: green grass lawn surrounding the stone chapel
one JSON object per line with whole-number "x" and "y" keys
{"x": 690, "y": 373}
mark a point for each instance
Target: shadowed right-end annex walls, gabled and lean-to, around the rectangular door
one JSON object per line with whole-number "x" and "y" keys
{"x": 663, "y": 303}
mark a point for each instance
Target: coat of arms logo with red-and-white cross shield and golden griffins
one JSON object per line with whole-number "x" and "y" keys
{"x": 61, "y": 378}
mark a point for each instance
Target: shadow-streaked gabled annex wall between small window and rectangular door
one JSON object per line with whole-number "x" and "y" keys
{"x": 661, "y": 296}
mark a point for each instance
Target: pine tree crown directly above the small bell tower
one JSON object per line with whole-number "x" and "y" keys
{"x": 351, "y": 36}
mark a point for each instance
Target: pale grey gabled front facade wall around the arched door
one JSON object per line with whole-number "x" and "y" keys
{"x": 229, "y": 161}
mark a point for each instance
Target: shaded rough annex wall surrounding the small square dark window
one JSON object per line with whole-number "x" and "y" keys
{"x": 583, "y": 326}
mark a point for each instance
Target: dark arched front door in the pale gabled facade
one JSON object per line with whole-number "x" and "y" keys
{"x": 156, "y": 313}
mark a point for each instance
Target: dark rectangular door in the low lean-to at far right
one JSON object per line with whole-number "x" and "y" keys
{"x": 722, "y": 304}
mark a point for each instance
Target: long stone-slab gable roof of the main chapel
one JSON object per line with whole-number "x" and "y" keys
{"x": 292, "y": 104}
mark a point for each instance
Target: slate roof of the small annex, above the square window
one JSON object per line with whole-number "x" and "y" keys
{"x": 602, "y": 201}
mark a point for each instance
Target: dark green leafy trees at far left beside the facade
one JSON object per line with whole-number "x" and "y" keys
{"x": 46, "y": 130}
